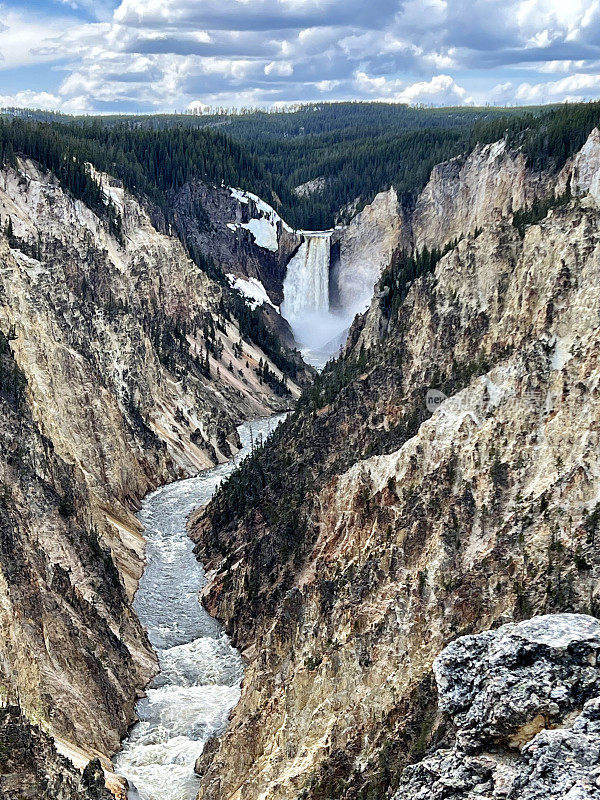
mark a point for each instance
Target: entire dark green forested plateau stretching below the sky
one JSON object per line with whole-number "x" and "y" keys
{"x": 356, "y": 149}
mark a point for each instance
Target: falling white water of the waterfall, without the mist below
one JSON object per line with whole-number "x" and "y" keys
{"x": 306, "y": 285}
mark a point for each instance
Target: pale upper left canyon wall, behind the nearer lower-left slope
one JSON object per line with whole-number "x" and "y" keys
{"x": 123, "y": 344}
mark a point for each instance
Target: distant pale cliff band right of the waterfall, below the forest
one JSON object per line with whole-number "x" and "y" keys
{"x": 461, "y": 196}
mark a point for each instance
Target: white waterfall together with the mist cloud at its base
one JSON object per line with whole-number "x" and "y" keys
{"x": 318, "y": 330}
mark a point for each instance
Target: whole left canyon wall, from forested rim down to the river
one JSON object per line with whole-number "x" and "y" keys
{"x": 122, "y": 369}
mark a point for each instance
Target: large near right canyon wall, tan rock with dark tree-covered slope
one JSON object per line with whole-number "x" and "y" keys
{"x": 386, "y": 523}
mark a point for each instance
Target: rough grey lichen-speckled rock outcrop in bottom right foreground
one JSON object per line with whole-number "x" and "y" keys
{"x": 524, "y": 700}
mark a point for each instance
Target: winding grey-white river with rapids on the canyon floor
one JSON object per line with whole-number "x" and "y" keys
{"x": 200, "y": 672}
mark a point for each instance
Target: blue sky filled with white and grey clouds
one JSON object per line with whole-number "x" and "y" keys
{"x": 100, "y": 56}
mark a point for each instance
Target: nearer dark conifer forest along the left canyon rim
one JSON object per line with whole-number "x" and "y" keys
{"x": 149, "y": 162}
